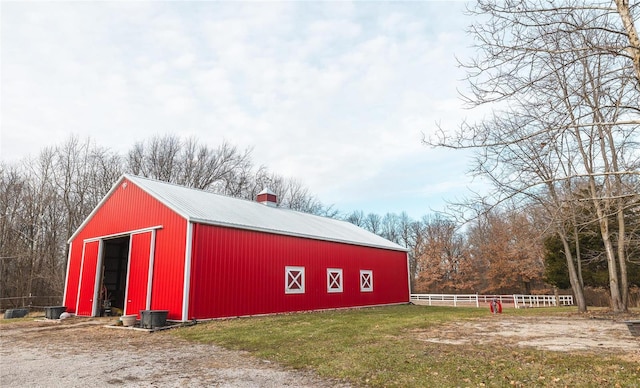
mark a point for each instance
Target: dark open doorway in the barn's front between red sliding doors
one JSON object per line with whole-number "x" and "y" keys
{"x": 114, "y": 275}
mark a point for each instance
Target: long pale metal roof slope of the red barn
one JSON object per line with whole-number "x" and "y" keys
{"x": 209, "y": 208}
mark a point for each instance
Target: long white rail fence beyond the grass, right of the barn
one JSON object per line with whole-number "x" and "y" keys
{"x": 518, "y": 300}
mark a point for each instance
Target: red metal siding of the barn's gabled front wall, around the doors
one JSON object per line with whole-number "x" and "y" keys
{"x": 130, "y": 208}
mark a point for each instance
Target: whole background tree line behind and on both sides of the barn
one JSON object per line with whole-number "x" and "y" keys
{"x": 502, "y": 249}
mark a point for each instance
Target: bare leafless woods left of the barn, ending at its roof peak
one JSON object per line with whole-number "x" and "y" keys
{"x": 44, "y": 199}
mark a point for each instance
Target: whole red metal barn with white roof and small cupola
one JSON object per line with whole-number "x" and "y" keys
{"x": 152, "y": 245}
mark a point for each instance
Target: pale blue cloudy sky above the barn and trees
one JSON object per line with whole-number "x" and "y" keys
{"x": 335, "y": 94}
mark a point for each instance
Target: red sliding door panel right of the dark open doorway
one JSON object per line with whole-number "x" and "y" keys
{"x": 138, "y": 273}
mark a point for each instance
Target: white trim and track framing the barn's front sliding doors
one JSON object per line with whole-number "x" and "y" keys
{"x": 100, "y": 260}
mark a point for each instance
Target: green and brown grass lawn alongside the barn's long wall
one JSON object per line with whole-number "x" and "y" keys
{"x": 378, "y": 347}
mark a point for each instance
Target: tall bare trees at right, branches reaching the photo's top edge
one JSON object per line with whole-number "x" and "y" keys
{"x": 563, "y": 81}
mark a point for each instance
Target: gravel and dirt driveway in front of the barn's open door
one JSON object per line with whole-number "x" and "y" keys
{"x": 82, "y": 352}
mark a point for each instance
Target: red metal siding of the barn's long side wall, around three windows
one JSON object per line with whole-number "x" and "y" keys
{"x": 237, "y": 272}
